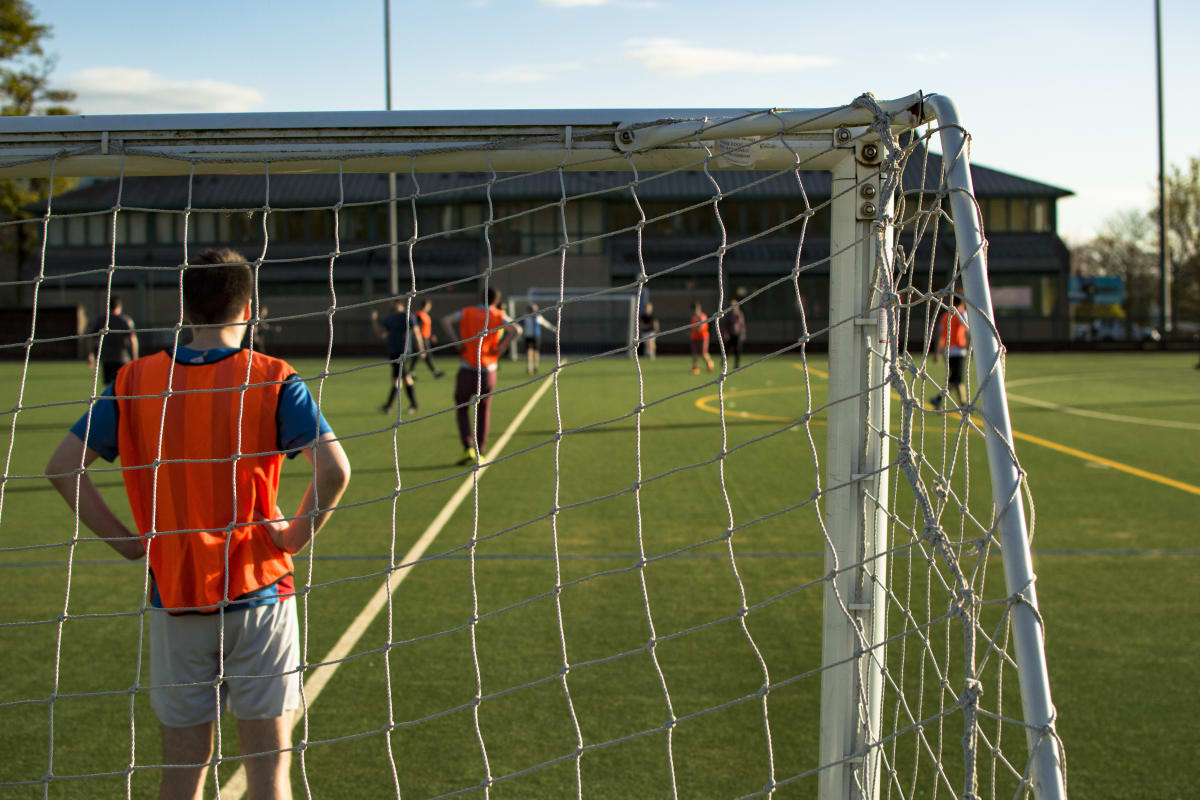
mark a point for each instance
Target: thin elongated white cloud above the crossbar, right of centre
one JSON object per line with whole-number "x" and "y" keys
{"x": 673, "y": 57}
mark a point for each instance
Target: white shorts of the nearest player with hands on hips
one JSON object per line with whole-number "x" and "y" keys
{"x": 259, "y": 679}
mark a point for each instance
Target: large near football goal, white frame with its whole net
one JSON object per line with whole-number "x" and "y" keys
{"x": 788, "y": 557}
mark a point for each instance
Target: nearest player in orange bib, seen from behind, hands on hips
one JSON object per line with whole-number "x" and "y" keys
{"x": 202, "y": 473}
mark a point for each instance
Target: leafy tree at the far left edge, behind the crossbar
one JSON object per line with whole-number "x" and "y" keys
{"x": 25, "y": 89}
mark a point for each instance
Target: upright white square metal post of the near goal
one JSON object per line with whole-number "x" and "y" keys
{"x": 851, "y": 679}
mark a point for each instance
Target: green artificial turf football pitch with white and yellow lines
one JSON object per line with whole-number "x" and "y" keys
{"x": 550, "y": 557}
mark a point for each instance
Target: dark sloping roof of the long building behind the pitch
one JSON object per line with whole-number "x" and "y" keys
{"x": 323, "y": 191}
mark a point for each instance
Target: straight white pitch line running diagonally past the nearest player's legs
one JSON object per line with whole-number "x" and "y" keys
{"x": 236, "y": 787}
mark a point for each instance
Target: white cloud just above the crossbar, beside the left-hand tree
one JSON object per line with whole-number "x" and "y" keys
{"x": 127, "y": 91}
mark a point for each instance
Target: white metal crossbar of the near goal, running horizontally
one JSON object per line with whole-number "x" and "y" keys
{"x": 416, "y": 141}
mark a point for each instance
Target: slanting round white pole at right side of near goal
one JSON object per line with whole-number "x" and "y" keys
{"x": 1013, "y": 533}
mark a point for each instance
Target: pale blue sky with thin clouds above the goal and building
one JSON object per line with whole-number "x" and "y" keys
{"x": 1061, "y": 92}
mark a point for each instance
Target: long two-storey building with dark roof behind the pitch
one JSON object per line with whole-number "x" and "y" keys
{"x": 326, "y": 243}
